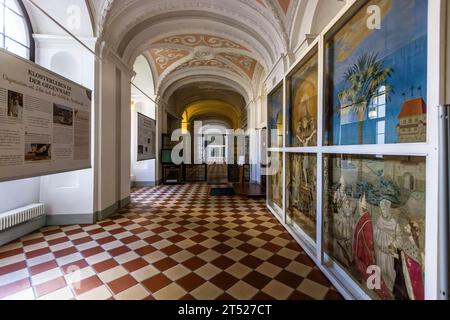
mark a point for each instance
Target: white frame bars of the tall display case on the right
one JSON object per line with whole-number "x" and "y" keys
{"x": 349, "y": 288}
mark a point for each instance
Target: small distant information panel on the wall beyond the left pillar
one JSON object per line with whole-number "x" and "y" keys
{"x": 146, "y": 138}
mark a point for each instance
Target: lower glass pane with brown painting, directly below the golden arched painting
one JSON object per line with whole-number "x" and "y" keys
{"x": 301, "y": 191}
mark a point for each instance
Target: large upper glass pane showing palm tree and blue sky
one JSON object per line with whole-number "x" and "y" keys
{"x": 378, "y": 73}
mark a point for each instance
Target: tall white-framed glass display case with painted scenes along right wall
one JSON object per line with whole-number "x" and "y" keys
{"x": 360, "y": 145}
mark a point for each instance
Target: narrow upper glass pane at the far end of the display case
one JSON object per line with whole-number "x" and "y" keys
{"x": 276, "y": 118}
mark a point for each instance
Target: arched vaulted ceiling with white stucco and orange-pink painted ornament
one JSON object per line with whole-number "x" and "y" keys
{"x": 230, "y": 42}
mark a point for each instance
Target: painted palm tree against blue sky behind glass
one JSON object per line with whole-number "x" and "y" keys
{"x": 364, "y": 80}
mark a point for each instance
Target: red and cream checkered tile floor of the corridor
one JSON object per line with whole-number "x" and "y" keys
{"x": 172, "y": 242}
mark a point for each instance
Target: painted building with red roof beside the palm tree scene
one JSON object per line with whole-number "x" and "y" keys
{"x": 412, "y": 121}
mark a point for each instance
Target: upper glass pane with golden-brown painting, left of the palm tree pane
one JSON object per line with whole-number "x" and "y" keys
{"x": 303, "y": 105}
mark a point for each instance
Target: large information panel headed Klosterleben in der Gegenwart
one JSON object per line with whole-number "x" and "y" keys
{"x": 45, "y": 121}
